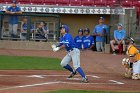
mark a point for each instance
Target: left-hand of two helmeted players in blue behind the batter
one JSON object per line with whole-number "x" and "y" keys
{"x": 79, "y": 39}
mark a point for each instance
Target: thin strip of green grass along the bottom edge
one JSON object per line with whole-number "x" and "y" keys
{"x": 84, "y": 91}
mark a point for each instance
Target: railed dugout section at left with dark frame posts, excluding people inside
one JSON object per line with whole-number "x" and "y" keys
{"x": 52, "y": 22}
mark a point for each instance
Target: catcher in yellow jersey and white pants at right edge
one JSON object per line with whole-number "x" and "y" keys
{"x": 134, "y": 57}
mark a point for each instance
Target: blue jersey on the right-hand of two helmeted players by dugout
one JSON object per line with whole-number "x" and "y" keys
{"x": 88, "y": 41}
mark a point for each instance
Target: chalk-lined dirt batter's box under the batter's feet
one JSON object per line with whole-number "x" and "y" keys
{"x": 93, "y": 79}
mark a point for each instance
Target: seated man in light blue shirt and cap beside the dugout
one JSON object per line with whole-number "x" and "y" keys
{"x": 119, "y": 36}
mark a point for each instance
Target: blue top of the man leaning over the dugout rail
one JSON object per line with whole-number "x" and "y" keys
{"x": 13, "y": 19}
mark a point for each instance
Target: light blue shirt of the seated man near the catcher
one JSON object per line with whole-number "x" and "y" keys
{"x": 119, "y": 34}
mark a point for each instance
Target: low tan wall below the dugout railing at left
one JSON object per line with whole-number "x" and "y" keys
{"x": 25, "y": 45}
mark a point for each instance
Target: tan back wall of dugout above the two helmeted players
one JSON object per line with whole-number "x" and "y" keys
{"x": 81, "y": 21}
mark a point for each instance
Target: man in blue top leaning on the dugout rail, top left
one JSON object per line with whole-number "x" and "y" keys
{"x": 13, "y": 19}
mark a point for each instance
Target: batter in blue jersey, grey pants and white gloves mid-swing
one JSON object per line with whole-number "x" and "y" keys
{"x": 73, "y": 53}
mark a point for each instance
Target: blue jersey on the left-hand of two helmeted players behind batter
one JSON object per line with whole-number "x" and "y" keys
{"x": 78, "y": 41}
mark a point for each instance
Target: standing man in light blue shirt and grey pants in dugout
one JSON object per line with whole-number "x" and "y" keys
{"x": 100, "y": 31}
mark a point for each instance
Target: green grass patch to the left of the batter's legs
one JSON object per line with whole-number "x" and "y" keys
{"x": 29, "y": 63}
